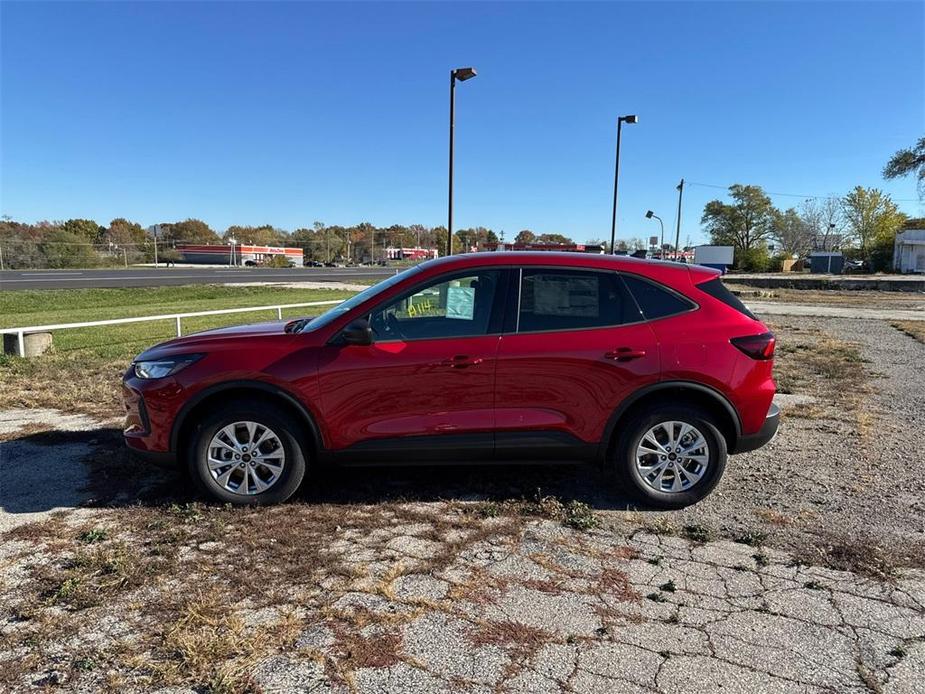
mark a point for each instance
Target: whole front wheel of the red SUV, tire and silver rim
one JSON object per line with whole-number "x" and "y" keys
{"x": 245, "y": 455}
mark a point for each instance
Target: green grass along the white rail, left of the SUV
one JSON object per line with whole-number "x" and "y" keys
{"x": 46, "y": 307}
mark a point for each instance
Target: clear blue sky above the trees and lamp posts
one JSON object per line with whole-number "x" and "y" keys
{"x": 287, "y": 113}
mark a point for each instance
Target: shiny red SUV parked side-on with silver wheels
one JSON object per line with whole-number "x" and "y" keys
{"x": 652, "y": 369}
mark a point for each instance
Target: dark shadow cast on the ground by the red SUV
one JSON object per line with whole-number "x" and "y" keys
{"x": 55, "y": 469}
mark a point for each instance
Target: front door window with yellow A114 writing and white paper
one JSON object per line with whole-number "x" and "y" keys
{"x": 458, "y": 307}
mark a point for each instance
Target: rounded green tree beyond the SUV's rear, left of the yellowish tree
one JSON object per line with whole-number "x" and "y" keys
{"x": 747, "y": 223}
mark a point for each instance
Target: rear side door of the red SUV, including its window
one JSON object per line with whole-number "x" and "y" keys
{"x": 576, "y": 348}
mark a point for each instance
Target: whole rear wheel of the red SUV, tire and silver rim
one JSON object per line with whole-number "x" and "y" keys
{"x": 670, "y": 456}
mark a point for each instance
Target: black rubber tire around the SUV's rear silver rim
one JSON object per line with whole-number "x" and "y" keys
{"x": 631, "y": 433}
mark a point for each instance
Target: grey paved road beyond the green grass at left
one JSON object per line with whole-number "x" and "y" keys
{"x": 150, "y": 277}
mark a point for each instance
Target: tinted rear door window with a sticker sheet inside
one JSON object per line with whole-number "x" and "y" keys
{"x": 572, "y": 300}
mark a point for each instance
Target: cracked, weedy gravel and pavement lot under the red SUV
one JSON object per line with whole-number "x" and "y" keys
{"x": 802, "y": 572}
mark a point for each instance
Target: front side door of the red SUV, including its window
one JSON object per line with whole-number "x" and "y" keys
{"x": 424, "y": 388}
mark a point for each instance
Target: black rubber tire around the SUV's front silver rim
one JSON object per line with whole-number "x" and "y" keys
{"x": 289, "y": 434}
